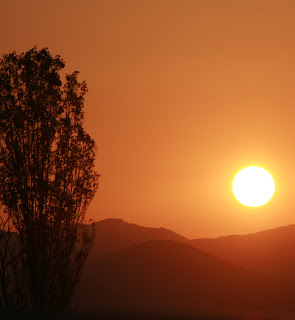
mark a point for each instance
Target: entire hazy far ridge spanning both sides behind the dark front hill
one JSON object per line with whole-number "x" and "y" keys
{"x": 269, "y": 252}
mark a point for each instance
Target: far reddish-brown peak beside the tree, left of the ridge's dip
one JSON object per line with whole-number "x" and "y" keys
{"x": 115, "y": 234}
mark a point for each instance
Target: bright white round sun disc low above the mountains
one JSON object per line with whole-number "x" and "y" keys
{"x": 253, "y": 186}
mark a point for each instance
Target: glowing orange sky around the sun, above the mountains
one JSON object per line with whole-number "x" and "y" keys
{"x": 182, "y": 95}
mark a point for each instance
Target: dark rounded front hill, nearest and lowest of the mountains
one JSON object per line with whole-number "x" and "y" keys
{"x": 168, "y": 276}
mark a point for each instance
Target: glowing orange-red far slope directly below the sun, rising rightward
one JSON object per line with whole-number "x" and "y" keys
{"x": 269, "y": 252}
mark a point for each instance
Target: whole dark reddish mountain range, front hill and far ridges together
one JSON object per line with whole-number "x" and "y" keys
{"x": 135, "y": 269}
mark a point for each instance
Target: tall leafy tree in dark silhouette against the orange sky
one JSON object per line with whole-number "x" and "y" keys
{"x": 47, "y": 177}
